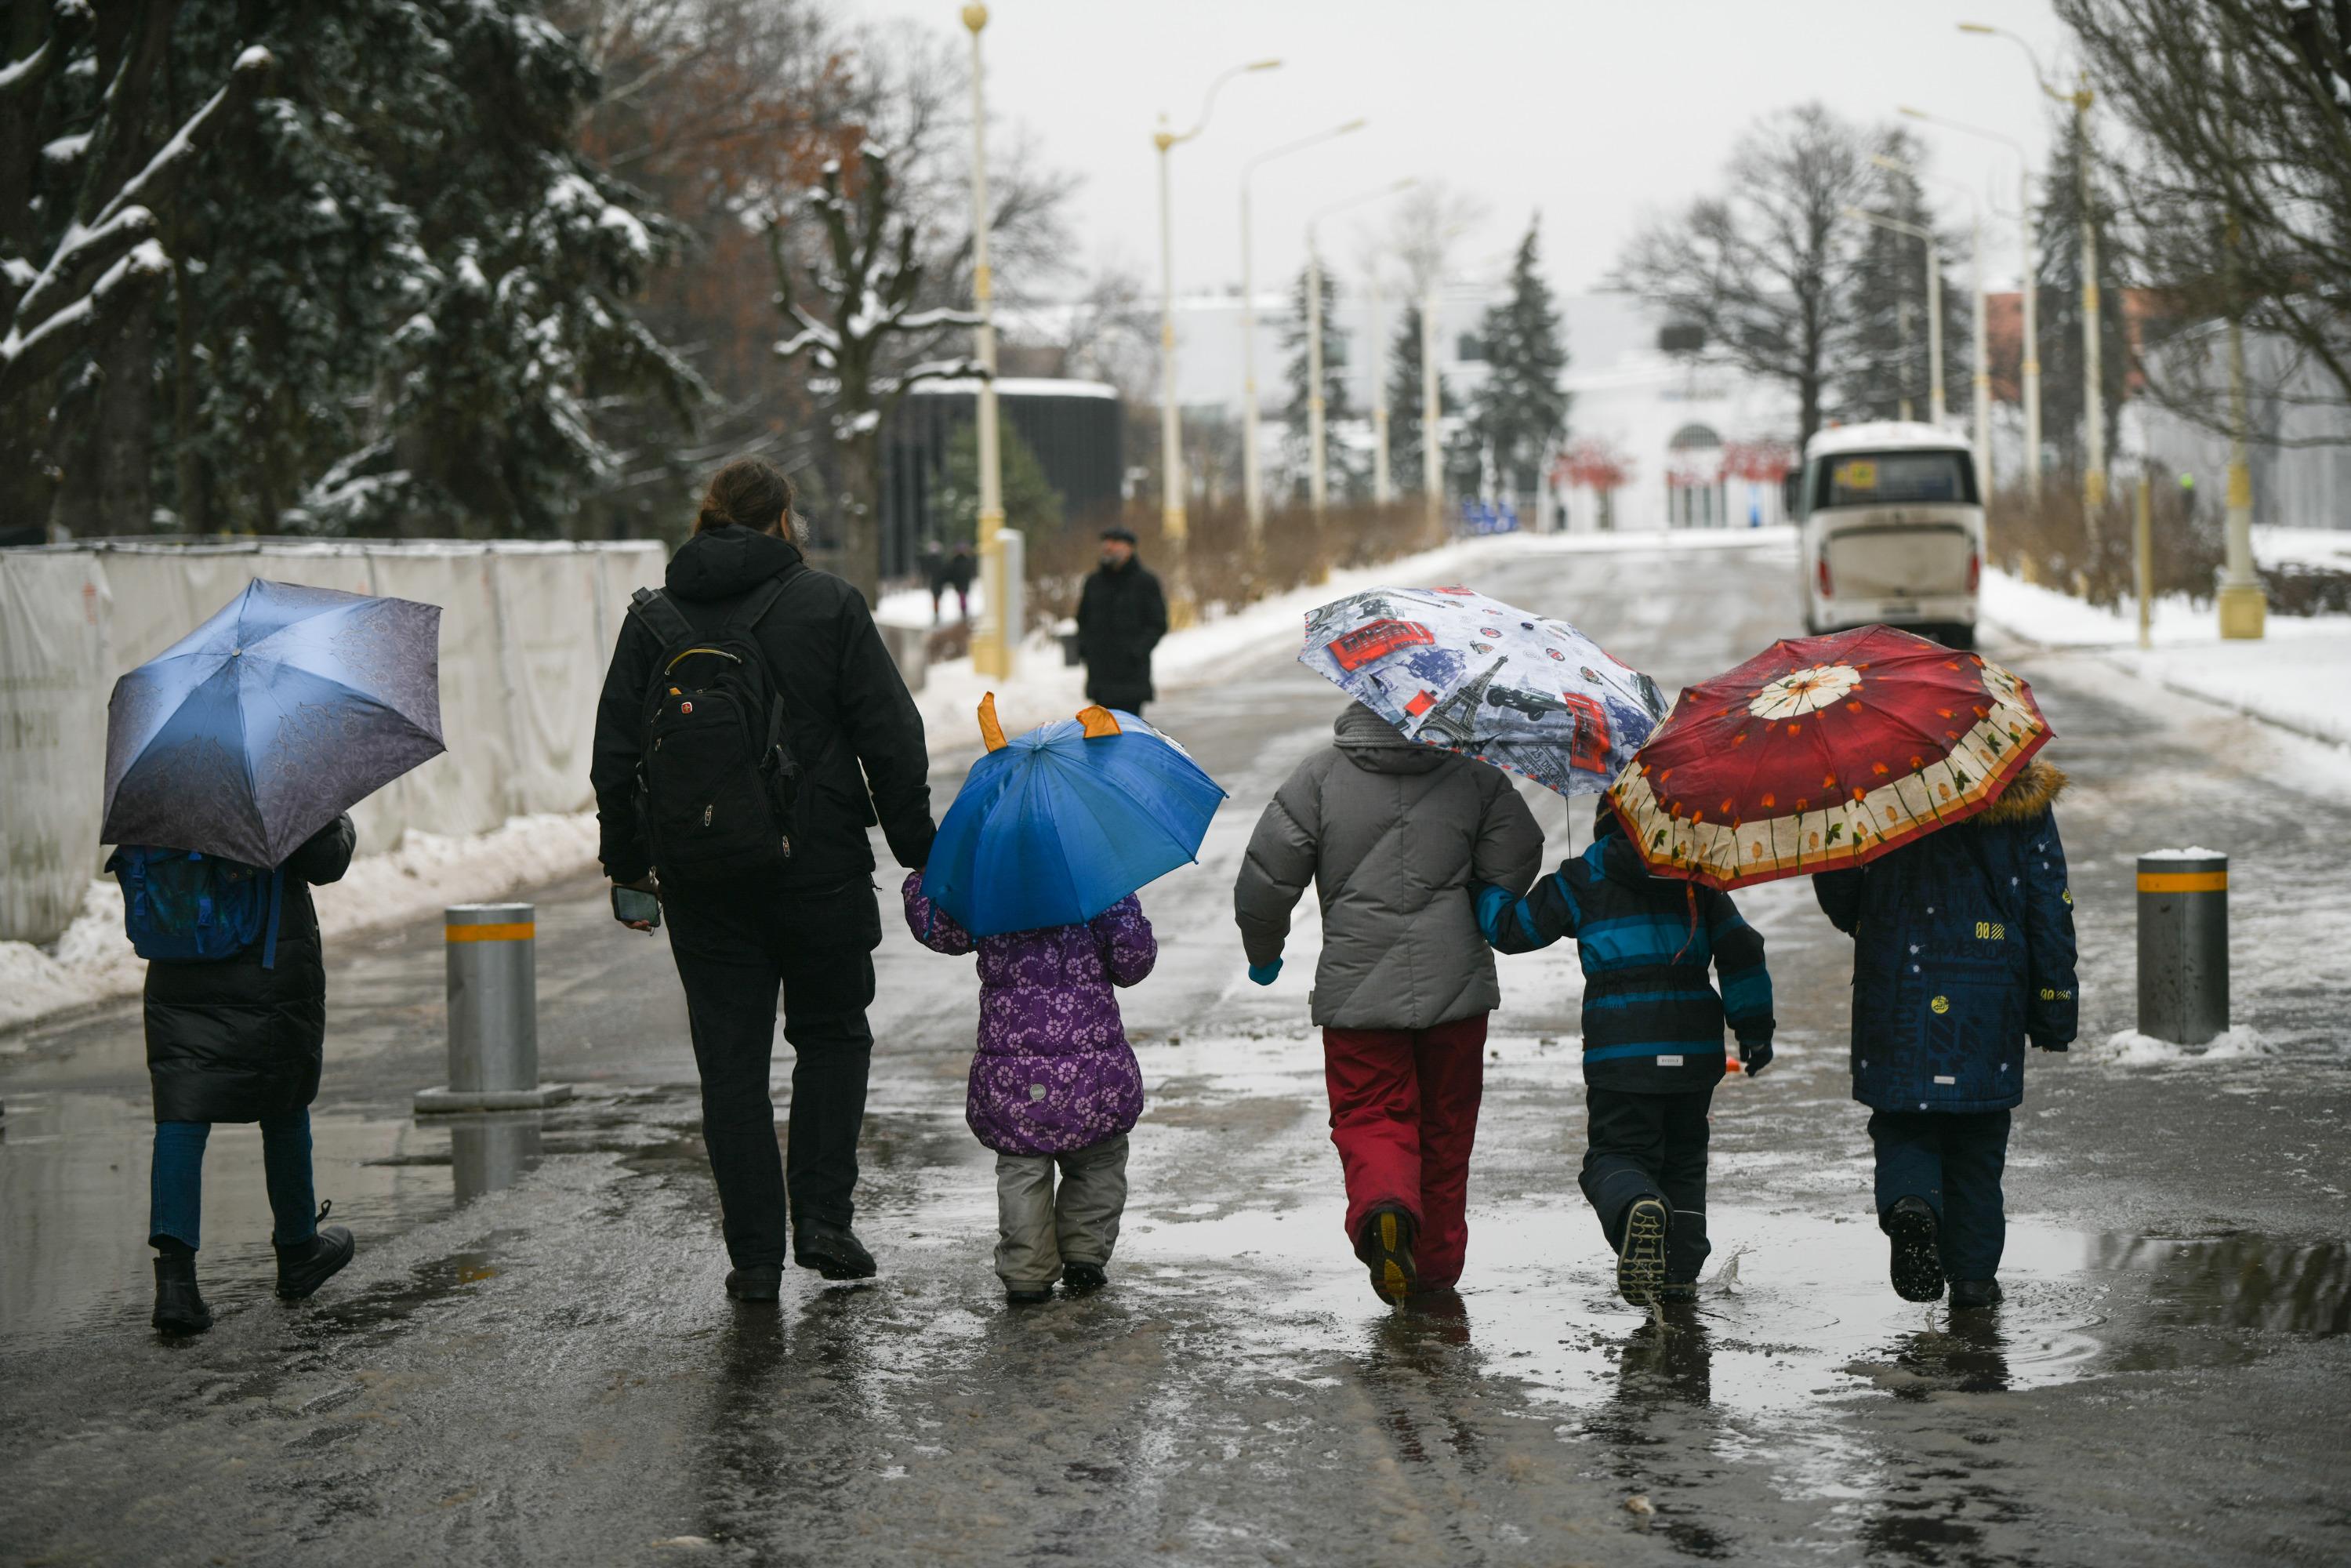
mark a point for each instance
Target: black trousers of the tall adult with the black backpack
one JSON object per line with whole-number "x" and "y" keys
{"x": 735, "y": 951}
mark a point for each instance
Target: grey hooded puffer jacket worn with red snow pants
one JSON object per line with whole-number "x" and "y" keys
{"x": 1393, "y": 836}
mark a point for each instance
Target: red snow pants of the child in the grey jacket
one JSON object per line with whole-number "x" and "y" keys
{"x": 1405, "y": 1115}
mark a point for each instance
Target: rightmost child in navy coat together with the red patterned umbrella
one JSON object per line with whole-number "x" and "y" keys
{"x": 1908, "y": 782}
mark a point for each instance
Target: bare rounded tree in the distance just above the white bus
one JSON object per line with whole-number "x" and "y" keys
{"x": 1760, "y": 267}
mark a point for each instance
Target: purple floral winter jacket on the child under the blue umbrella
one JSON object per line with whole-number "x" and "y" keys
{"x": 1054, "y": 1071}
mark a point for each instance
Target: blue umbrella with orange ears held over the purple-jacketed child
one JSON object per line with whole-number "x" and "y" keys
{"x": 1064, "y": 822}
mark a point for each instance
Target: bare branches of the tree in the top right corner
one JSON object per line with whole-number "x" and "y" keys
{"x": 2237, "y": 187}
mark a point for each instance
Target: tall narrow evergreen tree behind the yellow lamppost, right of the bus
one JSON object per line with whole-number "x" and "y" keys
{"x": 2058, "y": 243}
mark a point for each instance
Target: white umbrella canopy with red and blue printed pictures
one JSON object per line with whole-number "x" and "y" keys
{"x": 1466, "y": 674}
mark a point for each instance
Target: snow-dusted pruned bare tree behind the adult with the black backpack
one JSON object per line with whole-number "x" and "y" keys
{"x": 869, "y": 274}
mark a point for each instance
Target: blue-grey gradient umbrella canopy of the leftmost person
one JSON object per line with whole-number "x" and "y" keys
{"x": 262, "y": 725}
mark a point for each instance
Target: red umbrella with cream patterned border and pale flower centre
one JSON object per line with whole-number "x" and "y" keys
{"x": 1823, "y": 753}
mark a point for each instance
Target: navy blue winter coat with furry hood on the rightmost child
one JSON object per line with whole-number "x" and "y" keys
{"x": 1962, "y": 951}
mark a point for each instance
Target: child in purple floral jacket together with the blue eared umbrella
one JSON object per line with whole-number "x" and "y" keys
{"x": 1036, "y": 869}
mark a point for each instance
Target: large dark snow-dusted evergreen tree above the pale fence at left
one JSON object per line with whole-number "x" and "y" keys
{"x": 415, "y": 290}
